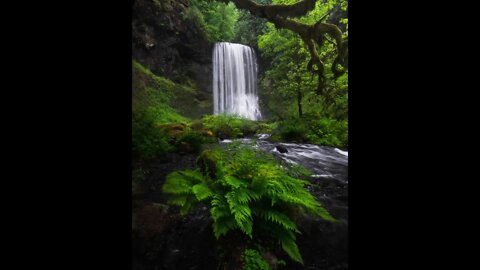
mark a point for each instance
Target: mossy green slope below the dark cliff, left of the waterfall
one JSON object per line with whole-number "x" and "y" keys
{"x": 156, "y": 127}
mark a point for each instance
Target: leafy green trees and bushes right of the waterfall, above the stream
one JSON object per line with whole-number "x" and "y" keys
{"x": 323, "y": 119}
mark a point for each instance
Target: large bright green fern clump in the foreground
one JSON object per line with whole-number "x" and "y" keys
{"x": 249, "y": 192}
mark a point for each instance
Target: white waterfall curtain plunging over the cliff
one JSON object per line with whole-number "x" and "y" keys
{"x": 235, "y": 80}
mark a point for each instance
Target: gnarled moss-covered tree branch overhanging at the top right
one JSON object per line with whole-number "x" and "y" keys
{"x": 288, "y": 15}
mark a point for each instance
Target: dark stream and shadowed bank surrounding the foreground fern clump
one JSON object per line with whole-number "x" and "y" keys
{"x": 162, "y": 239}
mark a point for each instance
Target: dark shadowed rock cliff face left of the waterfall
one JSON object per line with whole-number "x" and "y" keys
{"x": 167, "y": 39}
